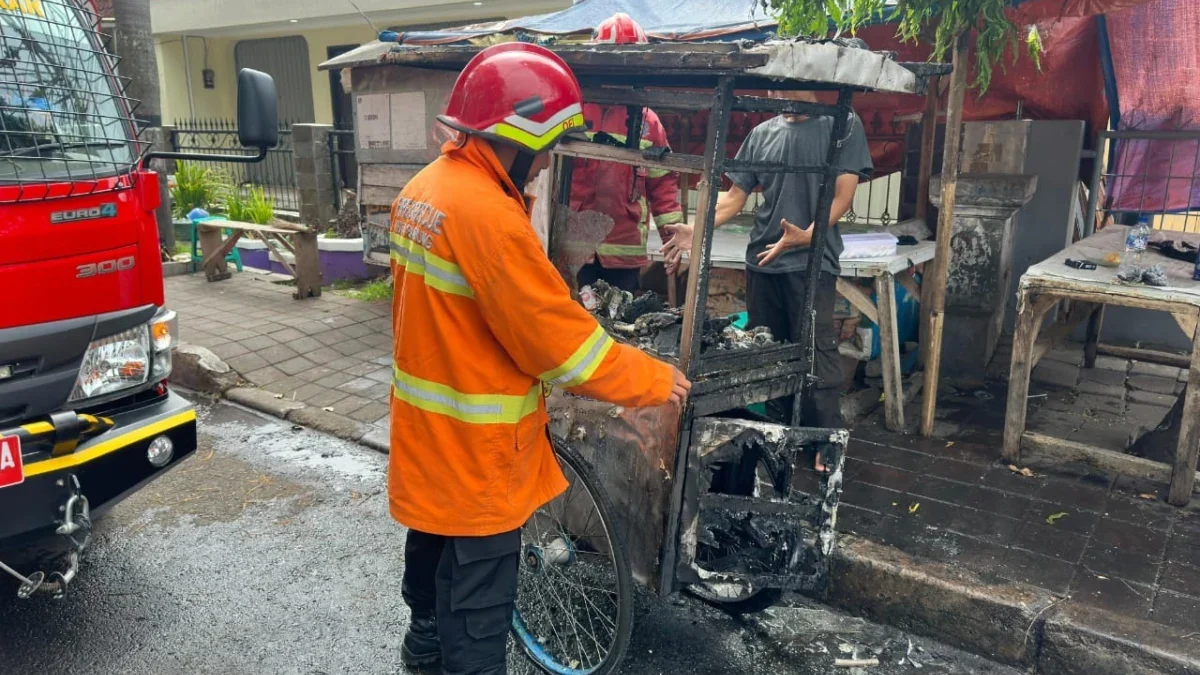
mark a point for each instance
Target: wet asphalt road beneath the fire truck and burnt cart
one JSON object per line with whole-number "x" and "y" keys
{"x": 271, "y": 552}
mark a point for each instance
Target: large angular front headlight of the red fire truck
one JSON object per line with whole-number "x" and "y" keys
{"x": 115, "y": 363}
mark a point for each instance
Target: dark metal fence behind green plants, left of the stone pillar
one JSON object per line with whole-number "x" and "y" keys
{"x": 275, "y": 175}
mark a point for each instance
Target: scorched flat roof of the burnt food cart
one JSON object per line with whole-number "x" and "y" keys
{"x": 790, "y": 64}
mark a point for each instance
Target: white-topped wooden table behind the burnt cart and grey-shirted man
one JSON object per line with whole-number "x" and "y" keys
{"x": 730, "y": 252}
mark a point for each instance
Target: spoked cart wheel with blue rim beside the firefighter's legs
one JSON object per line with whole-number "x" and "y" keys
{"x": 575, "y": 605}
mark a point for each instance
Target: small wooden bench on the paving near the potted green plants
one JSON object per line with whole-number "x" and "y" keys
{"x": 279, "y": 237}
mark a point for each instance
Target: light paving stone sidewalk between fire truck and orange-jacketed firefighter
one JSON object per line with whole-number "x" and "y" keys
{"x": 331, "y": 354}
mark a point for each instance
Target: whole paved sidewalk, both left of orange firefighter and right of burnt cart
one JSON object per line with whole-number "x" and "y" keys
{"x": 1102, "y": 542}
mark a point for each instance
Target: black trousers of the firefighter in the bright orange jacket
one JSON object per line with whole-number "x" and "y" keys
{"x": 471, "y": 584}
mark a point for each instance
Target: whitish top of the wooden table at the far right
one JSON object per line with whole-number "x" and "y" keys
{"x": 1053, "y": 272}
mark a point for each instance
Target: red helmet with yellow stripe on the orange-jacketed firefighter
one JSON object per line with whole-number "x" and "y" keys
{"x": 519, "y": 94}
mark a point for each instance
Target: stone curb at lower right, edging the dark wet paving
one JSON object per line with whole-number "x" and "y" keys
{"x": 1010, "y": 623}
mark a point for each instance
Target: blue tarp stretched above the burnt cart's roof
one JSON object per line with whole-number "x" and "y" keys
{"x": 669, "y": 20}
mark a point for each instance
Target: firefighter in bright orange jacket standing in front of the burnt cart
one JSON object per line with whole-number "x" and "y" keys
{"x": 483, "y": 322}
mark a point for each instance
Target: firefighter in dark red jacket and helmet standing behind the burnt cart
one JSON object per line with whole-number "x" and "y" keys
{"x": 629, "y": 195}
